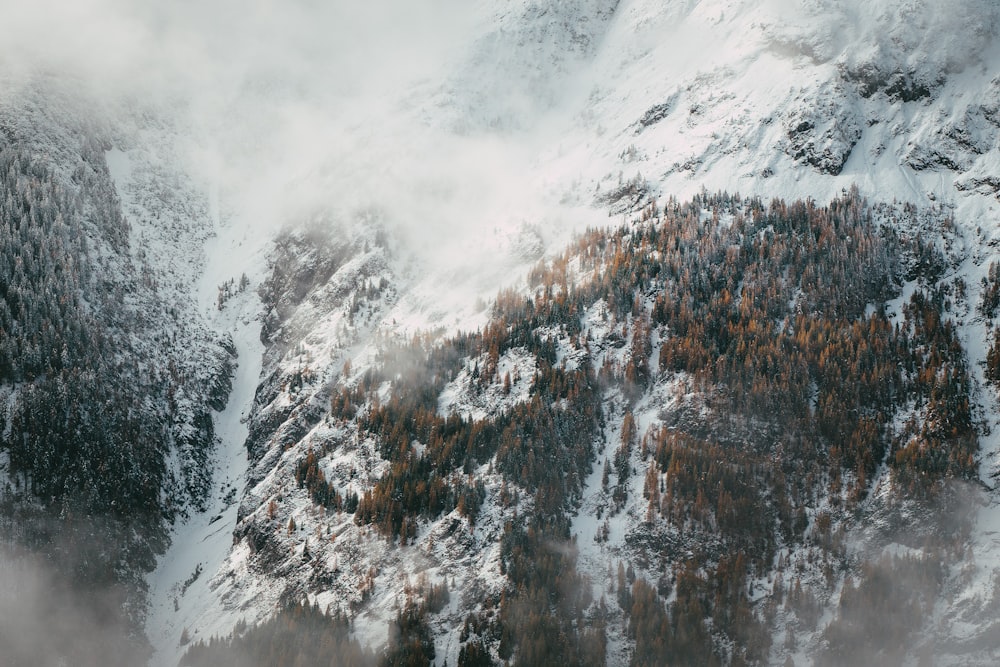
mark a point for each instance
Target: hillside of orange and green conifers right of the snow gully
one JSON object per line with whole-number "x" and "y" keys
{"x": 748, "y": 374}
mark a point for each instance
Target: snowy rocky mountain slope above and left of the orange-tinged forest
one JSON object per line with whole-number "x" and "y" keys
{"x": 583, "y": 114}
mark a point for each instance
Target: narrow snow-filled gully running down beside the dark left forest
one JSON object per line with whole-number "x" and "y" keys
{"x": 197, "y": 247}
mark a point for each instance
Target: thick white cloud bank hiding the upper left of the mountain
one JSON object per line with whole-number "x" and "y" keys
{"x": 293, "y": 108}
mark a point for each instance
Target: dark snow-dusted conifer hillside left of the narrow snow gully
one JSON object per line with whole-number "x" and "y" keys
{"x": 106, "y": 428}
